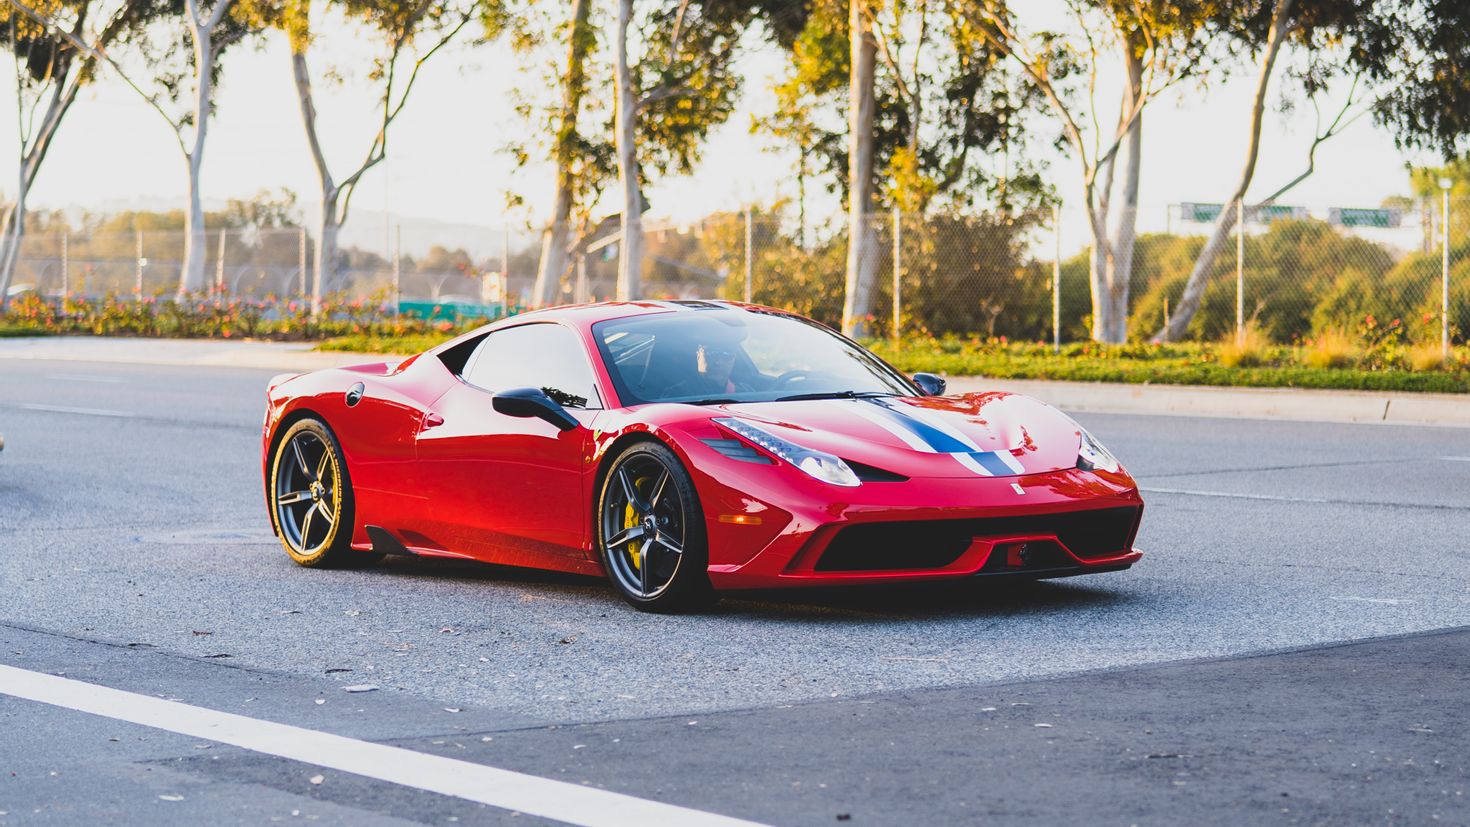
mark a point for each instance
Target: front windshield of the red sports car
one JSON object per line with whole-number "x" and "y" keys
{"x": 737, "y": 356}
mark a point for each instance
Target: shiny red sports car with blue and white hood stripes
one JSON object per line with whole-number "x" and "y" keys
{"x": 684, "y": 449}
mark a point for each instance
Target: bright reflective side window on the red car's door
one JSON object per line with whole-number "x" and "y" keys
{"x": 536, "y": 356}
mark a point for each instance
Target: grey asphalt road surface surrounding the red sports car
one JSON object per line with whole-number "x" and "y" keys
{"x": 137, "y": 555}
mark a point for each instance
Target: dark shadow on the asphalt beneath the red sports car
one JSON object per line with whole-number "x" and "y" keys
{"x": 977, "y": 597}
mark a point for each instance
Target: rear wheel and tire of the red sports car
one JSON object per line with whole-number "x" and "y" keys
{"x": 312, "y": 499}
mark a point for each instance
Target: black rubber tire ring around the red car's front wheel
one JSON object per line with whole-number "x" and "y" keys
{"x": 692, "y": 584}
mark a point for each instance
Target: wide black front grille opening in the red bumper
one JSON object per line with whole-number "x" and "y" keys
{"x": 936, "y": 544}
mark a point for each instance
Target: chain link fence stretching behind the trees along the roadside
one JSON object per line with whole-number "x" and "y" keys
{"x": 1290, "y": 274}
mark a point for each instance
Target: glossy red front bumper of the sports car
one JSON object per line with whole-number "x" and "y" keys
{"x": 1053, "y": 525}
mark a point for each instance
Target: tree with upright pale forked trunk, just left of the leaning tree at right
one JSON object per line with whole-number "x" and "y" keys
{"x": 1159, "y": 45}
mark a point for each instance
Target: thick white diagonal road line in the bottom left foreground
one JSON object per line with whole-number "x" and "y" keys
{"x": 559, "y": 801}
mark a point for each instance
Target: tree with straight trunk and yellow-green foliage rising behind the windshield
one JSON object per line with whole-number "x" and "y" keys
{"x": 943, "y": 105}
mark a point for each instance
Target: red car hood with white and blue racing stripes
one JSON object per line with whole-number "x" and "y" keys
{"x": 992, "y": 434}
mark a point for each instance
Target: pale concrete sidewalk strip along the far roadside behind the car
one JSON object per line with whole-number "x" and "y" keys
{"x": 1450, "y": 411}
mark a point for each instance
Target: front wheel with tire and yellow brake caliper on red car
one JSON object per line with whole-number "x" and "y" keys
{"x": 650, "y": 532}
